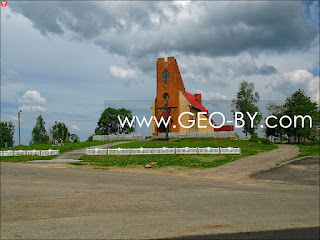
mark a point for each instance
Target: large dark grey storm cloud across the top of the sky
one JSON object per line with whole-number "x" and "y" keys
{"x": 138, "y": 30}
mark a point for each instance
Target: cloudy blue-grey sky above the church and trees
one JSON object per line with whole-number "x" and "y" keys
{"x": 67, "y": 60}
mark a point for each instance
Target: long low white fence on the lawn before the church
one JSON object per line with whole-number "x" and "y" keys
{"x": 164, "y": 150}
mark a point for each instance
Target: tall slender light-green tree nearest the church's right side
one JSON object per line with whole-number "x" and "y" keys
{"x": 245, "y": 101}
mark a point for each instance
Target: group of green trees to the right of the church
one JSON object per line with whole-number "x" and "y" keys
{"x": 298, "y": 103}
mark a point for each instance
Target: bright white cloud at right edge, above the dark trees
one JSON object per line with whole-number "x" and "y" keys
{"x": 305, "y": 77}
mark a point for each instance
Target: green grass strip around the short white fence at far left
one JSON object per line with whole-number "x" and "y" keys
{"x": 68, "y": 146}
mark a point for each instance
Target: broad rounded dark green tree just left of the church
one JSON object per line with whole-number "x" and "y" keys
{"x": 109, "y": 122}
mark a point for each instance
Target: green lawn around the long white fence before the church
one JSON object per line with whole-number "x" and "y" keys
{"x": 188, "y": 161}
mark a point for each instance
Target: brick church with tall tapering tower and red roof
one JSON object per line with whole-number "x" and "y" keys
{"x": 171, "y": 91}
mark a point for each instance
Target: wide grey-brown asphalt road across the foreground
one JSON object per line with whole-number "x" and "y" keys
{"x": 46, "y": 201}
